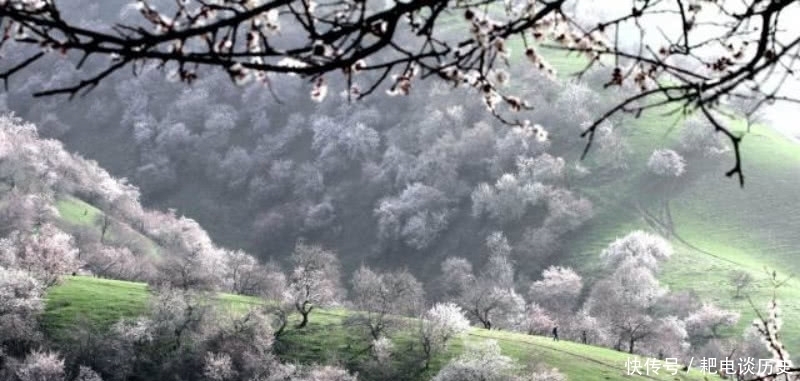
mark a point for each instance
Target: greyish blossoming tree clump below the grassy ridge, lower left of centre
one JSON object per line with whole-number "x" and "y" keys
{"x": 191, "y": 336}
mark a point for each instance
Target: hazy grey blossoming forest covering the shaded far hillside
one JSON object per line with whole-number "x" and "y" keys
{"x": 368, "y": 179}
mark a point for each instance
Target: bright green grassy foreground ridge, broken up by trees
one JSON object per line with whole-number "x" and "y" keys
{"x": 82, "y": 300}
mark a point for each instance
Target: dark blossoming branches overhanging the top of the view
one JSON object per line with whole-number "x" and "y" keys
{"x": 722, "y": 50}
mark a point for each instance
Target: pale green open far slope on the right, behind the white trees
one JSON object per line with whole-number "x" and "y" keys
{"x": 726, "y": 227}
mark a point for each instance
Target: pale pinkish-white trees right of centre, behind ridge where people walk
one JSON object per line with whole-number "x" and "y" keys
{"x": 627, "y": 309}
